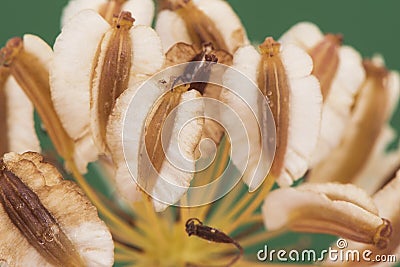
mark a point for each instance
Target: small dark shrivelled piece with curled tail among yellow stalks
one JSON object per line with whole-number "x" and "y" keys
{"x": 195, "y": 227}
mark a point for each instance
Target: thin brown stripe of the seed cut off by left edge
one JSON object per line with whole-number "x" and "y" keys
{"x": 4, "y": 144}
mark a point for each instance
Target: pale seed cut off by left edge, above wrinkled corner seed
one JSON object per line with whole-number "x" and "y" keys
{"x": 16, "y": 117}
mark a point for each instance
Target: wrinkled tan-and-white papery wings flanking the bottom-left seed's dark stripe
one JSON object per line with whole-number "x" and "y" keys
{"x": 75, "y": 216}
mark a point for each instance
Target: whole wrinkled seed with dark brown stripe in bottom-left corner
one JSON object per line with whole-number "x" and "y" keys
{"x": 50, "y": 220}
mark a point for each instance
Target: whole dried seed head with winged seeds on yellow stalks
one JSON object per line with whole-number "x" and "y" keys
{"x": 188, "y": 127}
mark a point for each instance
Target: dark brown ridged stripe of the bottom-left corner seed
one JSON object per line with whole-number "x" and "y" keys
{"x": 35, "y": 222}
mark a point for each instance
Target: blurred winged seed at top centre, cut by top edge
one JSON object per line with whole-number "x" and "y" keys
{"x": 200, "y": 22}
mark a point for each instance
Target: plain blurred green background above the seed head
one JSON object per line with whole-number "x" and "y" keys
{"x": 371, "y": 26}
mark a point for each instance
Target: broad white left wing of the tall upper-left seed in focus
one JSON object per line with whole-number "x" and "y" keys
{"x": 71, "y": 72}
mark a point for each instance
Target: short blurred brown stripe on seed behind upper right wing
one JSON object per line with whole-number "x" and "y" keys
{"x": 325, "y": 57}
